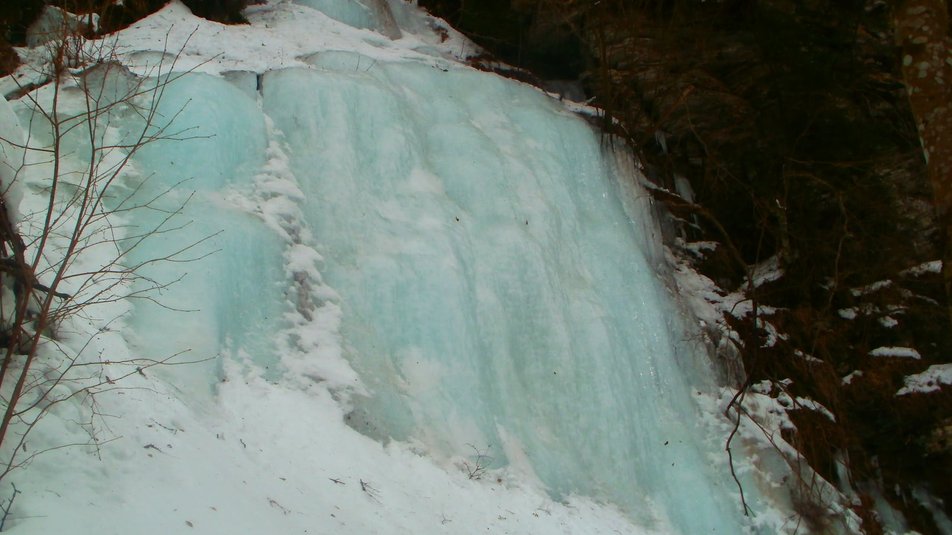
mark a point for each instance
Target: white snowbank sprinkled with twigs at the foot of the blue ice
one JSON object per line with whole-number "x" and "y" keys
{"x": 241, "y": 468}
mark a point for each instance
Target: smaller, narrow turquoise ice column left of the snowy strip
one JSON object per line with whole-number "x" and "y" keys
{"x": 231, "y": 295}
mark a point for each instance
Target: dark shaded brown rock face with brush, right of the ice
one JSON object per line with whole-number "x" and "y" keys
{"x": 790, "y": 122}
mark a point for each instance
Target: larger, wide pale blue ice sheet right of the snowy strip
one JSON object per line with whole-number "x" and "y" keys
{"x": 494, "y": 291}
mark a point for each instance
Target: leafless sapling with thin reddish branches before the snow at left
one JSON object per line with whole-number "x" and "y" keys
{"x": 66, "y": 249}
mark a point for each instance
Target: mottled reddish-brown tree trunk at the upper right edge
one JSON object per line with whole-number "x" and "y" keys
{"x": 922, "y": 32}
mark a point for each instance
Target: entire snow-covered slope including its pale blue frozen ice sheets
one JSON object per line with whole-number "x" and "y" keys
{"x": 421, "y": 299}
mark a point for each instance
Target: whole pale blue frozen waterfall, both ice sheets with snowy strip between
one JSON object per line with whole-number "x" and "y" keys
{"x": 462, "y": 241}
